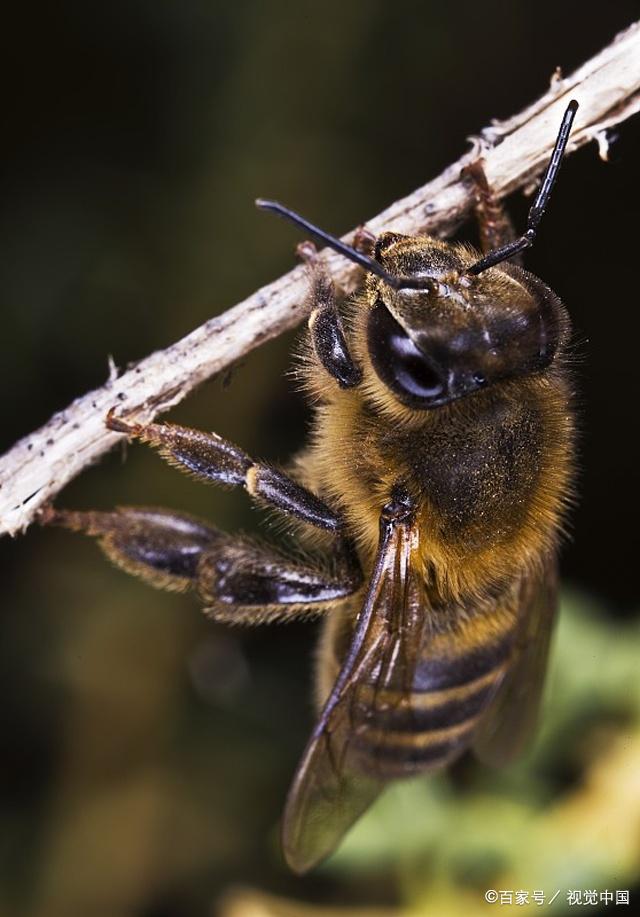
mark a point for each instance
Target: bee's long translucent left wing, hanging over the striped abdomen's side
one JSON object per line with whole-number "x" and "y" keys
{"x": 330, "y": 789}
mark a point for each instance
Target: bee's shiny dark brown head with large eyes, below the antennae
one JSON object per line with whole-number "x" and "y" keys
{"x": 433, "y": 346}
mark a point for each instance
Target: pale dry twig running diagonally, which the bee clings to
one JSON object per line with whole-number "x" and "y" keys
{"x": 514, "y": 152}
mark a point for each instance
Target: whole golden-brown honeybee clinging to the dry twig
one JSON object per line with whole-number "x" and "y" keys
{"x": 438, "y": 475}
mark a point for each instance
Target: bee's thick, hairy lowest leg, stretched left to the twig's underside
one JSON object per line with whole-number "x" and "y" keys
{"x": 239, "y": 580}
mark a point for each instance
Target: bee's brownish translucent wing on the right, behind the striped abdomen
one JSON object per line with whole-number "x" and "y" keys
{"x": 512, "y": 716}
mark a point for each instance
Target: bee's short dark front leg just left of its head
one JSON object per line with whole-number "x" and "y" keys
{"x": 325, "y": 325}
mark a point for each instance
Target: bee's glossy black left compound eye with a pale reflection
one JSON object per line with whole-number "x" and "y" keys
{"x": 403, "y": 368}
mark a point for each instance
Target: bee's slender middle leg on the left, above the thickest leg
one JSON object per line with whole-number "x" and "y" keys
{"x": 212, "y": 459}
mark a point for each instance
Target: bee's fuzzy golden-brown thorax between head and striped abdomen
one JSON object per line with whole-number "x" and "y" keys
{"x": 489, "y": 473}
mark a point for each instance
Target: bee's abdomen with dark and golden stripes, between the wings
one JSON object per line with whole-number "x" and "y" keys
{"x": 401, "y": 731}
